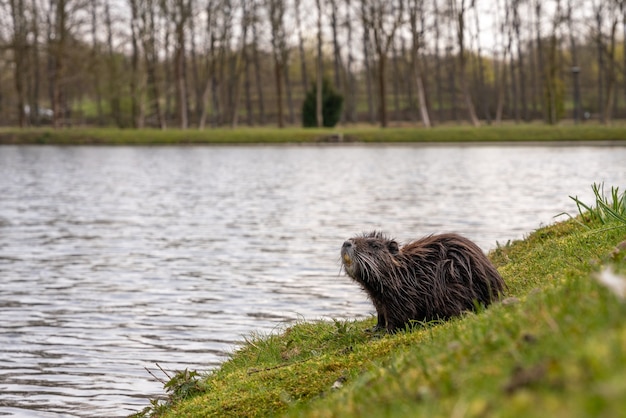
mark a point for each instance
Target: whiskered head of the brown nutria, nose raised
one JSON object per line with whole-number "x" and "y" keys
{"x": 366, "y": 258}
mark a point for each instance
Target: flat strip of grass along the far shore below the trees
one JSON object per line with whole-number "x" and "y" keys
{"x": 514, "y": 133}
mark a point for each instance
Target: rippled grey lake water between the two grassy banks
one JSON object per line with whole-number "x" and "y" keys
{"x": 113, "y": 259}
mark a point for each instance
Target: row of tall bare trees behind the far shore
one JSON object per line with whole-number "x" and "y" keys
{"x": 212, "y": 63}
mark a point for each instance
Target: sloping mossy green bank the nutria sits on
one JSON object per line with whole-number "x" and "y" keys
{"x": 556, "y": 346}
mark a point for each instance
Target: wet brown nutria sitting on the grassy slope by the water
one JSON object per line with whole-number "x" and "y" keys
{"x": 436, "y": 277}
